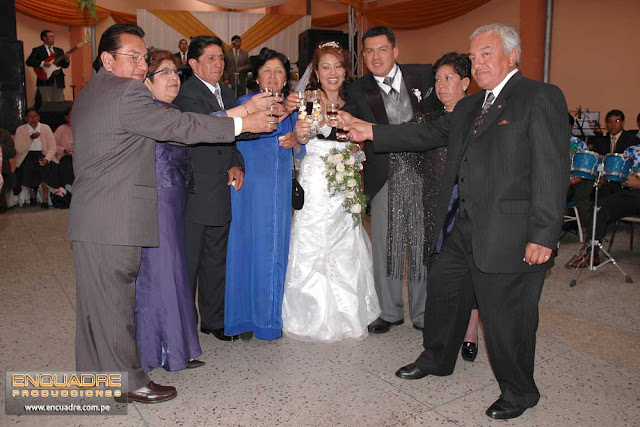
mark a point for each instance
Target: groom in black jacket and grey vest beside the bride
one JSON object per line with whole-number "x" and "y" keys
{"x": 371, "y": 98}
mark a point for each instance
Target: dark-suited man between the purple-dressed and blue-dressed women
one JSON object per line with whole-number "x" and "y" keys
{"x": 214, "y": 168}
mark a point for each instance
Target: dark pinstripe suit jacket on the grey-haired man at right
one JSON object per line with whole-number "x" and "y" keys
{"x": 519, "y": 163}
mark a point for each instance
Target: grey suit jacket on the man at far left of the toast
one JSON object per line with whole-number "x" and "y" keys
{"x": 116, "y": 124}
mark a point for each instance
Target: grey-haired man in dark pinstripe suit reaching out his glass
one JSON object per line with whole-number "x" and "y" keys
{"x": 508, "y": 152}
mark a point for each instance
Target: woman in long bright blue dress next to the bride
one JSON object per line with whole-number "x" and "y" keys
{"x": 258, "y": 246}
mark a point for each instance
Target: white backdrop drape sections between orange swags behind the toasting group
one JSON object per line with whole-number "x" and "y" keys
{"x": 225, "y": 25}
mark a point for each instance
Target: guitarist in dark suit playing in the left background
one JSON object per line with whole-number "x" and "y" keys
{"x": 41, "y": 57}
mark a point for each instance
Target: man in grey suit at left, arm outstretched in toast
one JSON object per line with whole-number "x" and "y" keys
{"x": 114, "y": 209}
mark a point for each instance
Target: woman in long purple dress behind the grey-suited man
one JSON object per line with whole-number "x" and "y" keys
{"x": 166, "y": 327}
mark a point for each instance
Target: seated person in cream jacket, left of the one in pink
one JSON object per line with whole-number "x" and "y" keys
{"x": 36, "y": 149}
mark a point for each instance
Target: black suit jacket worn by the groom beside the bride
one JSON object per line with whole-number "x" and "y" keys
{"x": 364, "y": 100}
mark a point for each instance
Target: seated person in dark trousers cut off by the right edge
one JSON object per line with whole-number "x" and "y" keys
{"x": 616, "y": 206}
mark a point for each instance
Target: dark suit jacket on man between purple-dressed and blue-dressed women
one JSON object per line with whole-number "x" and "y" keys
{"x": 210, "y": 203}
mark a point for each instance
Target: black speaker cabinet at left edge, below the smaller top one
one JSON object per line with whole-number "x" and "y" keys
{"x": 13, "y": 98}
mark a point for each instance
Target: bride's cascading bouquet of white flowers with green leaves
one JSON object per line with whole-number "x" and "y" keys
{"x": 343, "y": 176}
